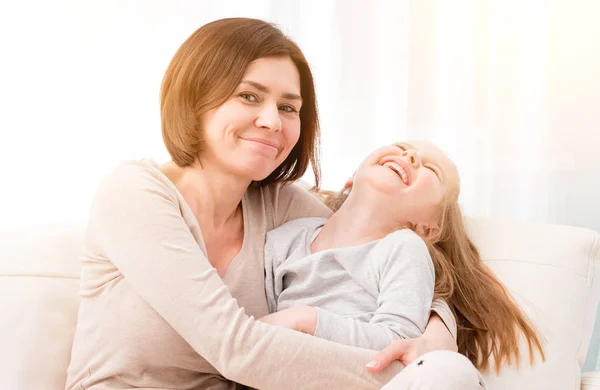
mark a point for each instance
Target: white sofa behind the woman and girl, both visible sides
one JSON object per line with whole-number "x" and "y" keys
{"x": 552, "y": 271}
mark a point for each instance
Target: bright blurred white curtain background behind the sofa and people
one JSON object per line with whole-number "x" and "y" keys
{"x": 509, "y": 88}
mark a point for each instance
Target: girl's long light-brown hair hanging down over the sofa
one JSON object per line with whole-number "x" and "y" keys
{"x": 489, "y": 322}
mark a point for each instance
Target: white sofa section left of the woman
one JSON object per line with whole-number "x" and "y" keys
{"x": 39, "y": 280}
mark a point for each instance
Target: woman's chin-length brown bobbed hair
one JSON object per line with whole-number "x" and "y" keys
{"x": 206, "y": 70}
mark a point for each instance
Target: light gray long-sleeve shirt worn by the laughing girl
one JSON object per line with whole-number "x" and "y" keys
{"x": 366, "y": 295}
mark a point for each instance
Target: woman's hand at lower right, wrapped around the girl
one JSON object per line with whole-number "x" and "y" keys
{"x": 436, "y": 337}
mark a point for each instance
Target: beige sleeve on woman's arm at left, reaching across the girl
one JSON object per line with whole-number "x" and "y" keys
{"x": 137, "y": 223}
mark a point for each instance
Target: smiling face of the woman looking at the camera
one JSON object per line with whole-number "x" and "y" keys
{"x": 254, "y": 131}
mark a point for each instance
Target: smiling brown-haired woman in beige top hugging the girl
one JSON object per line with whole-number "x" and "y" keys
{"x": 169, "y": 247}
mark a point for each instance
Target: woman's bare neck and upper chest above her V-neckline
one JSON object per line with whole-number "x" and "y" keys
{"x": 213, "y": 196}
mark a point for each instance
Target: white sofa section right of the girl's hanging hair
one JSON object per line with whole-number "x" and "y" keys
{"x": 549, "y": 270}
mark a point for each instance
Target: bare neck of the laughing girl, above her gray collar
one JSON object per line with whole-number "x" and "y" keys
{"x": 355, "y": 223}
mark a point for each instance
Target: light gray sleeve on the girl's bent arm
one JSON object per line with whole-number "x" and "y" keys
{"x": 405, "y": 291}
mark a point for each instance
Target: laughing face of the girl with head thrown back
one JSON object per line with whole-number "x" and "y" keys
{"x": 410, "y": 180}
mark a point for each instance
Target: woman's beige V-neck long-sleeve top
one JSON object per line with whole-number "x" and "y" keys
{"x": 155, "y": 314}
